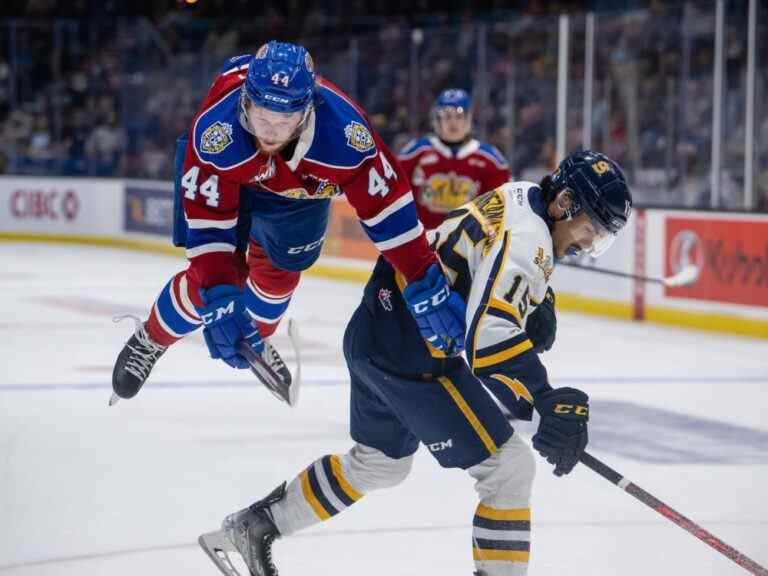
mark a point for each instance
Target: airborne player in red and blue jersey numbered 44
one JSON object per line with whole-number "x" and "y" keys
{"x": 269, "y": 148}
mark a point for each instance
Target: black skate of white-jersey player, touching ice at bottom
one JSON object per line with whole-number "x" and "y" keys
{"x": 250, "y": 532}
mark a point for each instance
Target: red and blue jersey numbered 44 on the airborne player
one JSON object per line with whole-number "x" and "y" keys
{"x": 337, "y": 152}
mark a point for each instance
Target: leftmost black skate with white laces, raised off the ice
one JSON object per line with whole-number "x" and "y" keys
{"x": 135, "y": 362}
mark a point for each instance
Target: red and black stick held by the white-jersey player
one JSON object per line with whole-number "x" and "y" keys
{"x": 671, "y": 514}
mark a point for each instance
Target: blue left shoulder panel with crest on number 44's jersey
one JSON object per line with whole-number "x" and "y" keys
{"x": 220, "y": 139}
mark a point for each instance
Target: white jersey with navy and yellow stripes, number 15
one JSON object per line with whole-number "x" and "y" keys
{"x": 497, "y": 252}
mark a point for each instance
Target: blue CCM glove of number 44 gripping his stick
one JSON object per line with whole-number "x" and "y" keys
{"x": 225, "y": 323}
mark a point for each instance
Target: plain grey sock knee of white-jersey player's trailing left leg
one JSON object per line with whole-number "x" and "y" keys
{"x": 370, "y": 469}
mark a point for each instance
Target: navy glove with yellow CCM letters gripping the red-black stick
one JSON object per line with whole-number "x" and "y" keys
{"x": 562, "y": 433}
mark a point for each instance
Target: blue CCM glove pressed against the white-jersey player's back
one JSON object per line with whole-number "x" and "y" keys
{"x": 440, "y": 313}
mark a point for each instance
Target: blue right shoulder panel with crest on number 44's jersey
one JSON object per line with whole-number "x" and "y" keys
{"x": 343, "y": 138}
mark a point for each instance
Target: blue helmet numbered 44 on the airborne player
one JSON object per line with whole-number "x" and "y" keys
{"x": 281, "y": 78}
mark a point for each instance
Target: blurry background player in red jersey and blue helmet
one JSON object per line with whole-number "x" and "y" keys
{"x": 449, "y": 167}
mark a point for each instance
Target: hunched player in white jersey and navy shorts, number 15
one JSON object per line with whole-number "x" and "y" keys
{"x": 499, "y": 252}
